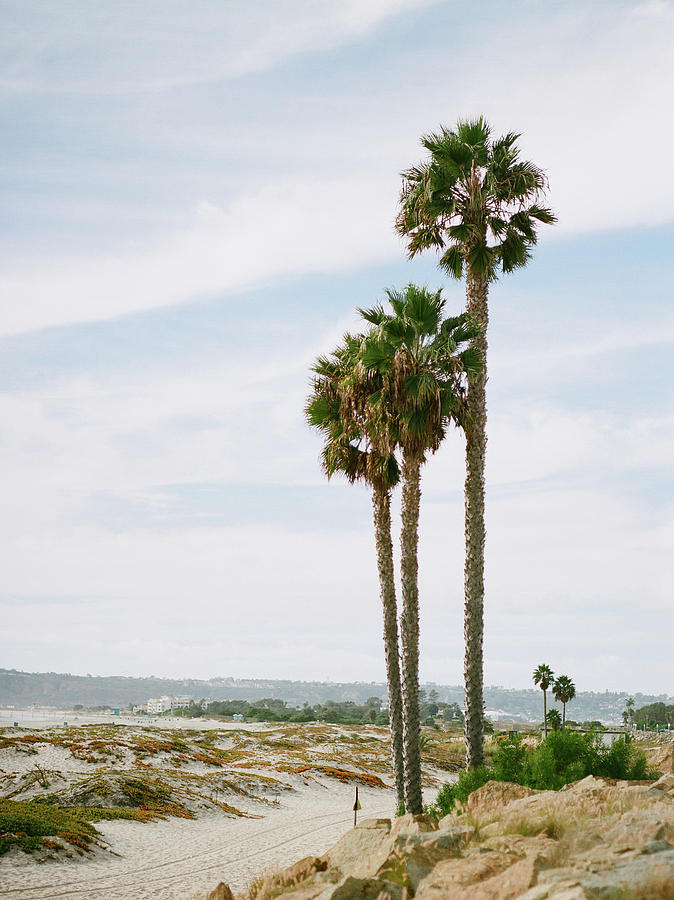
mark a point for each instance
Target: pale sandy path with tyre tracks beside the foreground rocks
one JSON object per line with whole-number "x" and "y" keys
{"x": 177, "y": 858}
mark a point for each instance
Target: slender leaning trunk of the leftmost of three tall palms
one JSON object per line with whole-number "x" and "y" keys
{"x": 381, "y": 502}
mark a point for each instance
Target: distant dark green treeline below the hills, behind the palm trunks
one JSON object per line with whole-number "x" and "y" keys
{"x": 345, "y": 712}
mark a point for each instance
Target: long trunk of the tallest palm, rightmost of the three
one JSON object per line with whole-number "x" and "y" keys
{"x": 476, "y": 444}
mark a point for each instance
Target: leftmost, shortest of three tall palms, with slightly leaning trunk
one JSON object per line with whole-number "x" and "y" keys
{"x": 348, "y": 451}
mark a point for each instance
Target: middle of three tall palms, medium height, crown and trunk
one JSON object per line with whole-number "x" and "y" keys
{"x": 421, "y": 360}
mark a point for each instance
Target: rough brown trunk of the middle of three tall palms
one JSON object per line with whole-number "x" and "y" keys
{"x": 409, "y": 632}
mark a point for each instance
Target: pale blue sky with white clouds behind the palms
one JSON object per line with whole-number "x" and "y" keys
{"x": 195, "y": 199}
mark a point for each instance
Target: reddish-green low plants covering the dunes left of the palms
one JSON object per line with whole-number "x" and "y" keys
{"x": 55, "y": 783}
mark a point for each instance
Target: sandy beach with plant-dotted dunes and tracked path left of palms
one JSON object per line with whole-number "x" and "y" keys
{"x": 298, "y": 782}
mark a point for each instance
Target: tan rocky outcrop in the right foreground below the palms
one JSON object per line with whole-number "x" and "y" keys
{"x": 593, "y": 839}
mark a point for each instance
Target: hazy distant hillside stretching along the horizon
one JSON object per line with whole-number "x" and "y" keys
{"x": 64, "y": 690}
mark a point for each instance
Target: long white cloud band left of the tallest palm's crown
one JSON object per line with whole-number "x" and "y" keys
{"x": 276, "y": 232}
